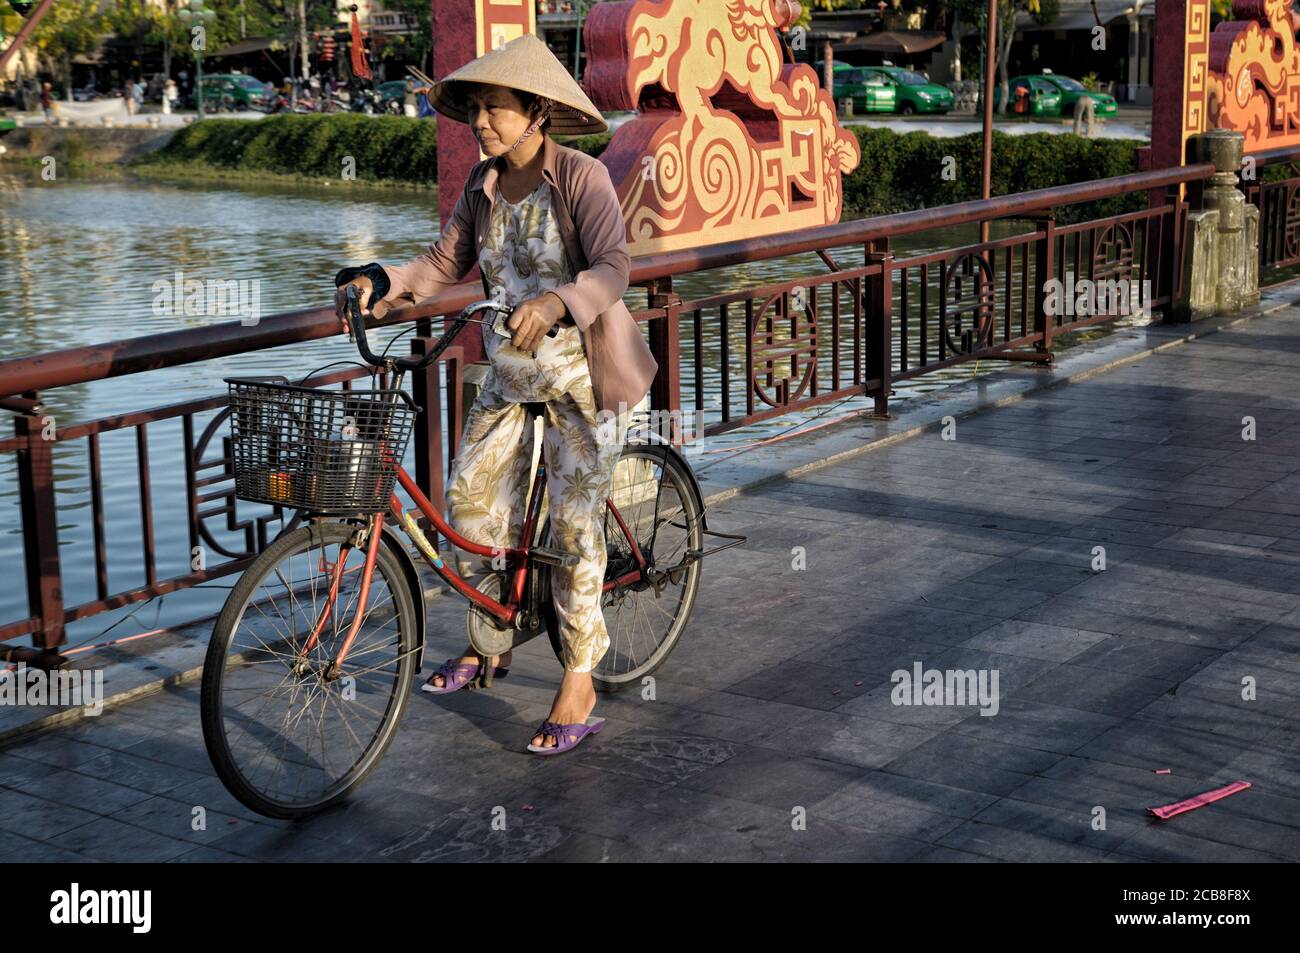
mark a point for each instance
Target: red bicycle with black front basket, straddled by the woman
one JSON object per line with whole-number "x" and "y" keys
{"x": 319, "y": 643}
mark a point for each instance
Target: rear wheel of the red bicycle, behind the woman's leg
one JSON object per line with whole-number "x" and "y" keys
{"x": 657, "y": 501}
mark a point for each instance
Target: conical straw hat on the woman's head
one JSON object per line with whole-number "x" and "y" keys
{"x": 525, "y": 64}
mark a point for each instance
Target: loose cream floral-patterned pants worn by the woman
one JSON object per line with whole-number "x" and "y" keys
{"x": 493, "y": 470}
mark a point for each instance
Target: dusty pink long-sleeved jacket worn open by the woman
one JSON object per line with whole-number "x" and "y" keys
{"x": 595, "y": 236}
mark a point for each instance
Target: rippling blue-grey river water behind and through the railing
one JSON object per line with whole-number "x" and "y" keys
{"x": 80, "y": 261}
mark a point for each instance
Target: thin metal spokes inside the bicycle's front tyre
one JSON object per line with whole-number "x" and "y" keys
{"x": 294, "y": 733}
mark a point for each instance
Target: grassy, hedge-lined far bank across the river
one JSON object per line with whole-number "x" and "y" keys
{"x": 898, "y": 171}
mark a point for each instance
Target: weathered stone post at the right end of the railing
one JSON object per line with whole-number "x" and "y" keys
{"x": 1223, "y": 257}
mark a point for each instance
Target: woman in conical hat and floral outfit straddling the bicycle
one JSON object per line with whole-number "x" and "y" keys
{"x": 545, "y": 227}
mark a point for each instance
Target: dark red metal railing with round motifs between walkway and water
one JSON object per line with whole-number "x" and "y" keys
{"x": 844, "y": 331}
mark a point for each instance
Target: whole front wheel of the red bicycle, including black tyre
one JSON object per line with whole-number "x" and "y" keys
{"x": 288, "y": 737}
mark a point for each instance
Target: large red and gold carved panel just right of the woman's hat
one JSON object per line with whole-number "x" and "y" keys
{"x": 731, "y": 140}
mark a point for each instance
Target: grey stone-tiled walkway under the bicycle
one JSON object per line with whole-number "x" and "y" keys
{"x": 965, "y": 555}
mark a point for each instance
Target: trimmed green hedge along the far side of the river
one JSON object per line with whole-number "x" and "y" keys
{"x": 899, "y": 171}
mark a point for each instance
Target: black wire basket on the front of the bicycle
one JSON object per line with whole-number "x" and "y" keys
{"x": 327, "y": 452}
